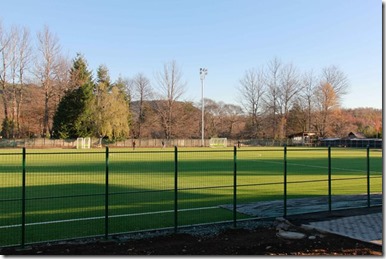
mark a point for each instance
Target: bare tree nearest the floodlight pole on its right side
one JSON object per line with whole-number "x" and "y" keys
{"x": 251, "y": 90}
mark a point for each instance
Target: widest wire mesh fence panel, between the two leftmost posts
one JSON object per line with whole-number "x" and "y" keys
{"x": 64, "y": 195}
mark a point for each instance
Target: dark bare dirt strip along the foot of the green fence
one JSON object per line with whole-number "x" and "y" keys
{"x": 263, "y": 240}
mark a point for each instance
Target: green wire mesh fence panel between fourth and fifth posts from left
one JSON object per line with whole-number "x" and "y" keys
{"x": 259, "y": 179}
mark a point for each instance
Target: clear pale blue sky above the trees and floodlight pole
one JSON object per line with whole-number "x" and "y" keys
{"x": 227, "y": 37}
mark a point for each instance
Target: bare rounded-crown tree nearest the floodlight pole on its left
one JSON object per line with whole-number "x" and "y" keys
{"x": 171, "y": 88}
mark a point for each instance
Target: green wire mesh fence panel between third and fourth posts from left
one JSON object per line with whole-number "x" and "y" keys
{"x": 205, "y": 184}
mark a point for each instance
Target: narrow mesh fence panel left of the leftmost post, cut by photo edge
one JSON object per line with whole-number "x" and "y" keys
{"x": 10, "y": 197}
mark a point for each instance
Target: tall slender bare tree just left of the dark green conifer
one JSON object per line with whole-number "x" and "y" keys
{"x": 46, "y": 68}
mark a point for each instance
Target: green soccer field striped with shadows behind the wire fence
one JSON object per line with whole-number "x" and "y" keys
{"x": 78, "y": 193}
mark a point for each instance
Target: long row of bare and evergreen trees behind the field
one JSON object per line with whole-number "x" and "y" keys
{"x": 43, "y": 93}
